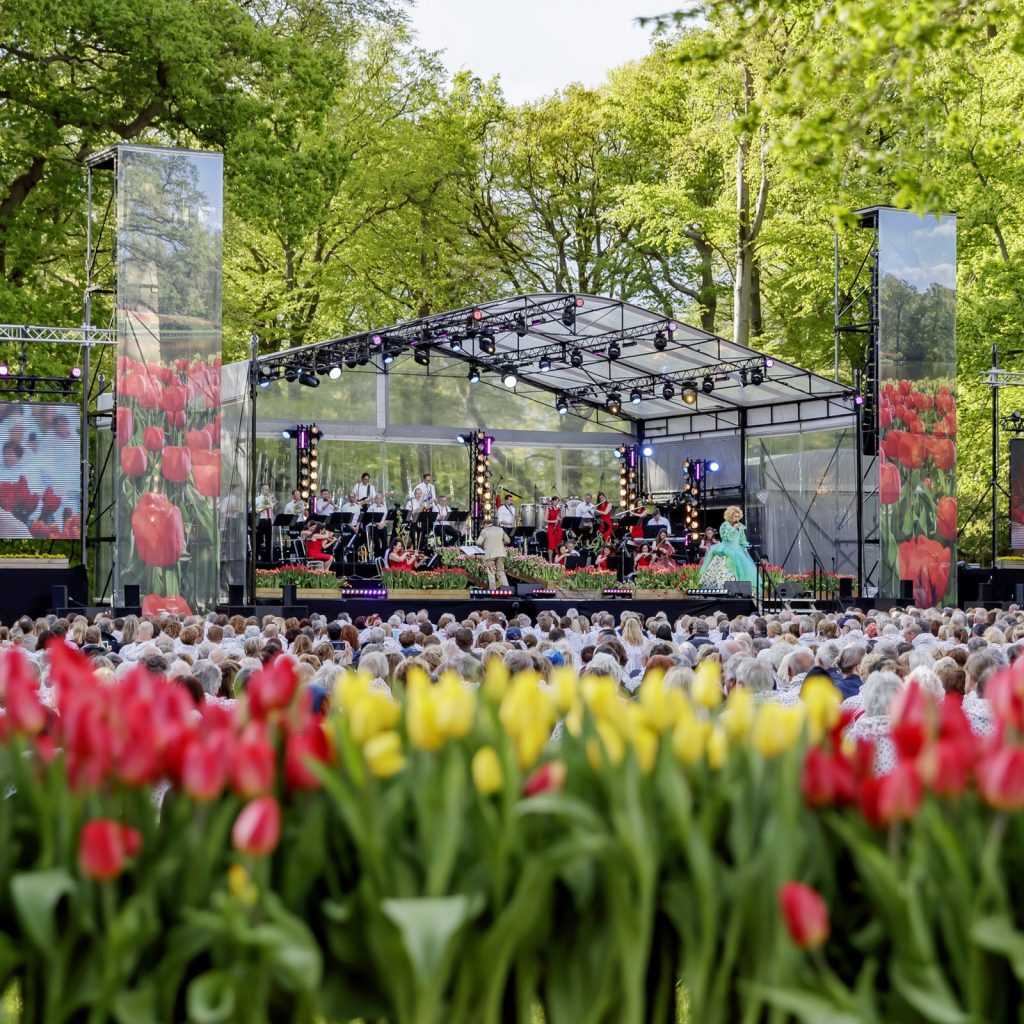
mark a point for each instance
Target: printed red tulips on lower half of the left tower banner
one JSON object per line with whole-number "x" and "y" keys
{"x": 168, "y": 433}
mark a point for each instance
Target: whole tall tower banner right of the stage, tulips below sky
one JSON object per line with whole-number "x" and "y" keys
{"x": 918, "y": 406}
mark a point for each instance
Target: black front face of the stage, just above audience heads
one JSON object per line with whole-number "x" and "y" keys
{"x": 439, "y": 605}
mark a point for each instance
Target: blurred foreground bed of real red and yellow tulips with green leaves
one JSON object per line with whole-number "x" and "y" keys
{"x": 440, "y": 859}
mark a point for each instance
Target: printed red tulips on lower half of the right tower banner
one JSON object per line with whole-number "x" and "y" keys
{"x": 918, "y": 488}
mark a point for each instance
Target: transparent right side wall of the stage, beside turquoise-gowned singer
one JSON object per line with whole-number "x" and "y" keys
{"x": 802, "y": 499}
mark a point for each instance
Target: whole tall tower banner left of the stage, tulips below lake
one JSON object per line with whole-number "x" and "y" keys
{"x": 168, "y": 386}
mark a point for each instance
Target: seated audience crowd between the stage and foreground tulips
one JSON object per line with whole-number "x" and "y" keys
{"x": 869, "y": 656}
